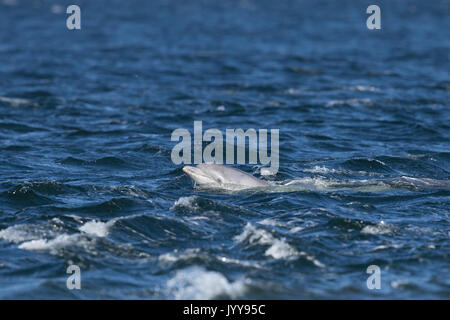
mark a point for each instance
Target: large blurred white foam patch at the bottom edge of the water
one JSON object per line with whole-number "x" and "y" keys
{"x": 199, "y": 284}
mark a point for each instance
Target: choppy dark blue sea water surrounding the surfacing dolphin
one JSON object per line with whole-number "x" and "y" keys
{"x": 86, "y": 176}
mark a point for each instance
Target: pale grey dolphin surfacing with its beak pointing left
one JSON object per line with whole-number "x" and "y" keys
{"x": 217, "y": 176}
